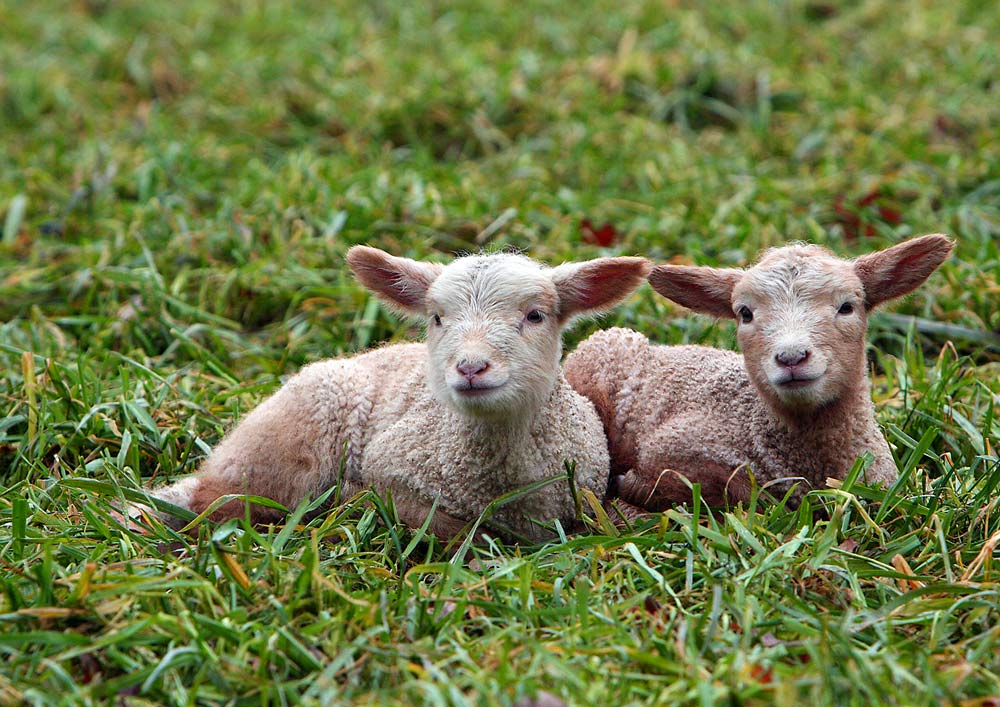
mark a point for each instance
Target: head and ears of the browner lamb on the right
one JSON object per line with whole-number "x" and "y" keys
{"x": 802, "y": 313}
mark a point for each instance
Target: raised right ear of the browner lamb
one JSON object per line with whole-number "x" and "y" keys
{"x": 893, "y": 272}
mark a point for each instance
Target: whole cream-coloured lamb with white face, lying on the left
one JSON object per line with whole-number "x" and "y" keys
{"x": 481, "y": 409}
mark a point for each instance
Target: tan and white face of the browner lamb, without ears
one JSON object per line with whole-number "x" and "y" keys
{"x": 802, "y": 322}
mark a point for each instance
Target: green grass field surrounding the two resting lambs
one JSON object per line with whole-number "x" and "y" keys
{"x": 178, "y": 185}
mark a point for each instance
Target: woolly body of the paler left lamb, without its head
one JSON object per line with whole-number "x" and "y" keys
{"x": 373, "y": 419}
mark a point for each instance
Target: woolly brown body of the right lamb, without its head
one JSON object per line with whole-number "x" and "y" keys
{"x": 676, "y": 412}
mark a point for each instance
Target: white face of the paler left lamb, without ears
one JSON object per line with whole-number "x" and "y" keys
{"x": 493, "y": 335}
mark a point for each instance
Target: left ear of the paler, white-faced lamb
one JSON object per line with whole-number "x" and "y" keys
{"x": 399, "y": 282}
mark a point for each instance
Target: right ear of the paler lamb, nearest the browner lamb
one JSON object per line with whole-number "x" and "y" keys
{"x": 596, "y": 285}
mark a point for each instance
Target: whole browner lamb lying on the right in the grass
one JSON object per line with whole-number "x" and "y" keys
{"x": 794, "y": 410}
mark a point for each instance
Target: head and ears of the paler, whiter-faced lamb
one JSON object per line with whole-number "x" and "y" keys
{"x": 494, "y": 322}
